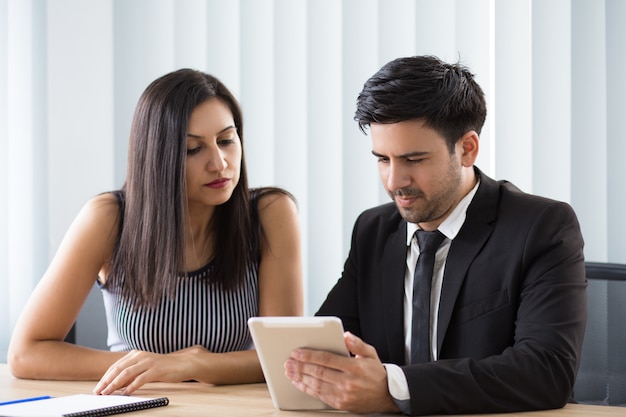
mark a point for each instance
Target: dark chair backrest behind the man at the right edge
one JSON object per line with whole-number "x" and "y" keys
{"x": 602, "y": 374}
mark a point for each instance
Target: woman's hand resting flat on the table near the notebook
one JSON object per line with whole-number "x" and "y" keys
{"x": 137, "y": 368}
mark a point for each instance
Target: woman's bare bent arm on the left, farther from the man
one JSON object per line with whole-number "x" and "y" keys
{"x": 37, "y": 349}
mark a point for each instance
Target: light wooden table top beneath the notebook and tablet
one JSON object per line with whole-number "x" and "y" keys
{"x": 190, "y": 399}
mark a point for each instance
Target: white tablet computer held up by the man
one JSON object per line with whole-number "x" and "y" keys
{"x": 274, "y": 339}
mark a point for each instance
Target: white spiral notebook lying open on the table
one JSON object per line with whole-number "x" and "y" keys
{"x": 81, "y": 405}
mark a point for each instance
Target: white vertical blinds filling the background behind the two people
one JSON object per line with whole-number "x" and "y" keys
{"x": 71, "y": 72}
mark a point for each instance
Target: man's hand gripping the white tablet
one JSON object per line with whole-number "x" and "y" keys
{"x": 357, "y": 384}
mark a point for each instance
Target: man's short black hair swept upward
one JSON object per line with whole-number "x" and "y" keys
{"x": 444, "y": 96}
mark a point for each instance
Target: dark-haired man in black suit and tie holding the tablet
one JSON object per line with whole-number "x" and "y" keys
{"x": 507, "y": 309}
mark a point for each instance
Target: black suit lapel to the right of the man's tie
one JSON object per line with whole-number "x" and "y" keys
{"x": 476, "y": 230}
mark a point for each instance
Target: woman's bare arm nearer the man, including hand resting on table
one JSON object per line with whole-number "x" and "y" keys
{"x": 280, "y": 294}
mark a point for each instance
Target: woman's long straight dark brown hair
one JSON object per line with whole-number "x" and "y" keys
{"x": 150, "y": 251}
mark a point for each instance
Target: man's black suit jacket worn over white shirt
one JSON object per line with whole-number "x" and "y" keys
{"x": 513, "y": 303}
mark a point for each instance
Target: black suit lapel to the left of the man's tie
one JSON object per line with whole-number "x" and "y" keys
{"x": 394, "y": 265}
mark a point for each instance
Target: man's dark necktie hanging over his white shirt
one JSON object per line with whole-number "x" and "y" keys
{"x": 420, "y": 326}
